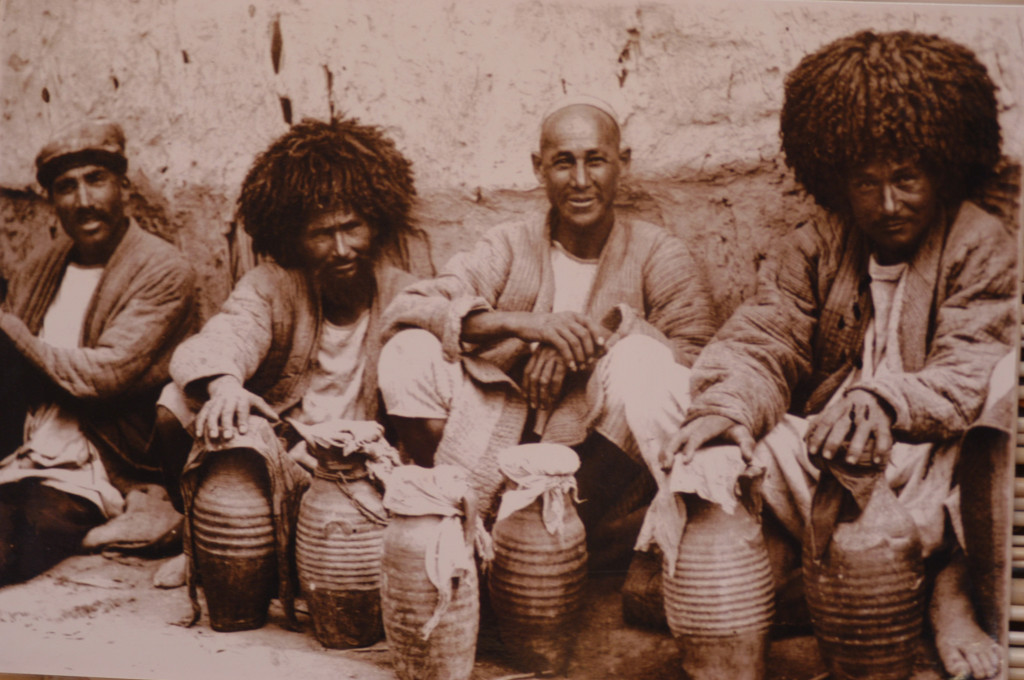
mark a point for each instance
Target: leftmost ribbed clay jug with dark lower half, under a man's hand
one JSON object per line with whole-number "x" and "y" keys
{"x": 233, "y": 530}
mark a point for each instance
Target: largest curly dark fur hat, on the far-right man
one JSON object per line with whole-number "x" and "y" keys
{"x": 893, "y": 96}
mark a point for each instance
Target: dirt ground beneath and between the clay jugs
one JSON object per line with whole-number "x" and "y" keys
{"x": 101, "y": 618}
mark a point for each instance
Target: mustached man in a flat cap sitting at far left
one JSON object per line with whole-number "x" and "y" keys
{"x": 87, "y": 335}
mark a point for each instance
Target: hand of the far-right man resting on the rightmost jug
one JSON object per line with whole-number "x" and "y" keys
{"x": 860, "y": 423}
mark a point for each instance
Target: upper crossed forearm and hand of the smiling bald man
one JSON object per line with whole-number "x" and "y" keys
{"x": 579, "y": 341}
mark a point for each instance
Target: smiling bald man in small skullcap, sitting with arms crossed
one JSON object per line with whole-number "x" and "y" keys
{"x": 501, "y": 348}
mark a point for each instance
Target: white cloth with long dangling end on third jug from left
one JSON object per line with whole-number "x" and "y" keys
{"x": 445, "y": 492}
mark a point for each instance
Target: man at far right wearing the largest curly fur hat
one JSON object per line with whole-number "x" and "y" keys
{"x": 880, "y": 323}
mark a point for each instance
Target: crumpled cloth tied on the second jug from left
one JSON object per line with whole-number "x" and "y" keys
{"x": 349, "y": 438}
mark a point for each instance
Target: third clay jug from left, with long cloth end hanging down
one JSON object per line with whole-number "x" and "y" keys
{"x": 430, "y": 587}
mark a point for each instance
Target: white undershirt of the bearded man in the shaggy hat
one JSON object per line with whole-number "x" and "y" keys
{"x": 334, "y": 388}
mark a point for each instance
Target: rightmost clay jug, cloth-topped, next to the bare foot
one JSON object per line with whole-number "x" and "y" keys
{"x": 867, "y": 591}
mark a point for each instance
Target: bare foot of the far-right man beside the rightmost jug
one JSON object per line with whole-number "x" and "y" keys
{"x": 965, "y": 650}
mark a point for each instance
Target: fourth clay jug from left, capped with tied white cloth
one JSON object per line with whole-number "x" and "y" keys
{"x": 540, "y": 567}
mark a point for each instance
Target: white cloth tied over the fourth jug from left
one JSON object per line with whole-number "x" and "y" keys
{"x": 539, "y": 471}
